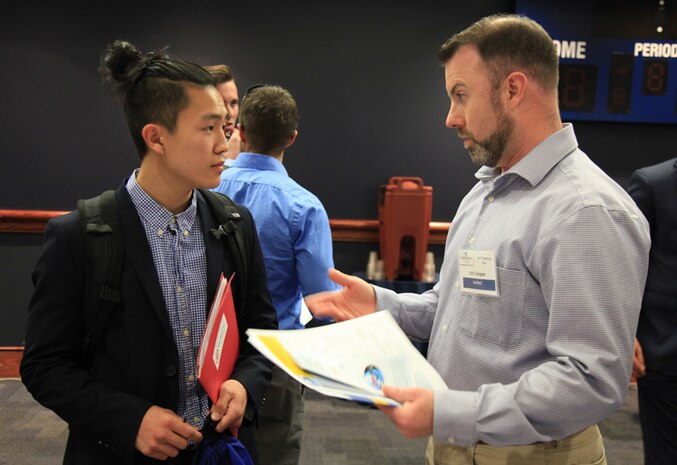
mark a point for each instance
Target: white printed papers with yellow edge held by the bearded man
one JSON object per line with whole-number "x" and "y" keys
{"x": 351, "y": 359}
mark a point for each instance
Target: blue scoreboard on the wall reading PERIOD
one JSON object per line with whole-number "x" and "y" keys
{"x": 618, "y": 60}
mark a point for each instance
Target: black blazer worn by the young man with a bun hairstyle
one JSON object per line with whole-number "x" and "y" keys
{"x": 135, "y": 362}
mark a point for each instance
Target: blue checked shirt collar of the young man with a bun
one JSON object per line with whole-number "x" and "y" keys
{"x": 157, "y": 216}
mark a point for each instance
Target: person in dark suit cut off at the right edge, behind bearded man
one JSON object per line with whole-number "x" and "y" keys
{"x": 654, "y": 189}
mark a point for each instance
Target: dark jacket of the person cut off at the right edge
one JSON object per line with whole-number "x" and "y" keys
{"x": 654, "y": 189}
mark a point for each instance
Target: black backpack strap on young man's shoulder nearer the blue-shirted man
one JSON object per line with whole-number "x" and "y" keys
{"x": 230, "y": 226}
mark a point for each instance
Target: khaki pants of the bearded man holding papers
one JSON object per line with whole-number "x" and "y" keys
{"x": 584, "y": 448}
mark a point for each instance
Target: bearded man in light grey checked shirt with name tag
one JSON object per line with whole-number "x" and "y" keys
{"x": 532, "y": 322}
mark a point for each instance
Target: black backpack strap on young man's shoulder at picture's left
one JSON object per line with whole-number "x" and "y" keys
{"x": 104, "y": 257}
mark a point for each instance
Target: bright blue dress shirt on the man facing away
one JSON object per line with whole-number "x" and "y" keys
{"x": 293, "y": 228}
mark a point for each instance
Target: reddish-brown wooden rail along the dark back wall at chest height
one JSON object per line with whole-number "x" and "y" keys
{"x": 34, "y": 221}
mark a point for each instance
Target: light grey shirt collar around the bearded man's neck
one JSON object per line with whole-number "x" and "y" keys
{"x": 540, "y": 160}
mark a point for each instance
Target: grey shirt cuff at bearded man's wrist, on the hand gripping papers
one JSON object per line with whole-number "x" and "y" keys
{"x": 454, "y": 417}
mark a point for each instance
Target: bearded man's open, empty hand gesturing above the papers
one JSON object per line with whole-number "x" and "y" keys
{"x": 357, "y": 298}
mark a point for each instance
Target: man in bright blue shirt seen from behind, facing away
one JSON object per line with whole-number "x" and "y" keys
{"x": 294, "y": 231}
